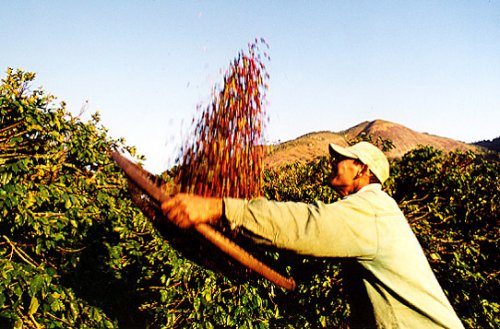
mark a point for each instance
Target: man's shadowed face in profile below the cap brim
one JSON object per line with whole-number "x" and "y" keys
{"x": 344, "y": 175}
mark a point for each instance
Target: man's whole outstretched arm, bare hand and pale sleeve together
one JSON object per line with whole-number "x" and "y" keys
{"x": 343, "y": 229}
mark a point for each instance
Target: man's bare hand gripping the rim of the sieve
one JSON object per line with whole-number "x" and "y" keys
{"x": 186, "y": 210}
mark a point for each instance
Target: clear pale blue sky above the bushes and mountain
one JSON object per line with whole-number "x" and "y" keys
{"x": 433, "y": 66}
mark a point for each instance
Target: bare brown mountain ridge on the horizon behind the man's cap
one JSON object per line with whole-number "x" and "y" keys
{"x": 312, "y": 145}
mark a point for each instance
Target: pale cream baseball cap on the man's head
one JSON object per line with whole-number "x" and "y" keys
{"x": 368, "y": 154}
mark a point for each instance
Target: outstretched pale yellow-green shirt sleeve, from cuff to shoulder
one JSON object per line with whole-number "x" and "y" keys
{"x": 346, "y": 228}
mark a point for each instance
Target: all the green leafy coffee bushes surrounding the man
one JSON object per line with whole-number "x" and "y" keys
{"x": 76, "y": 252}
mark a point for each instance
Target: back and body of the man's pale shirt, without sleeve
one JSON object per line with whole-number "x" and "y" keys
{"x": 399, "y": 282}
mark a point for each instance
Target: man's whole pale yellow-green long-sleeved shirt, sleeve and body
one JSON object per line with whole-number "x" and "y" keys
{"x": 369, "y": 228}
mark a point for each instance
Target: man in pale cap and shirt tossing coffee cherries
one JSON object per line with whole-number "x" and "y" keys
{"x": 392, "y": 283}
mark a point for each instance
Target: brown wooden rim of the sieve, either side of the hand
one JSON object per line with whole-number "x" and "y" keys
{"x": 142, "y": 177}
